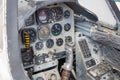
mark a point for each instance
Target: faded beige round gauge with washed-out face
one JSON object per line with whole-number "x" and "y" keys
{"x": 44, "y": 32}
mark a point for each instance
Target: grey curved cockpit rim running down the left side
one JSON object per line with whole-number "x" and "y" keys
{"x": 12, "y": 41}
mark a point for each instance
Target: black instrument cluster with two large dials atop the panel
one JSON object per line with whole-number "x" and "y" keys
{"x": 48, "y": 15}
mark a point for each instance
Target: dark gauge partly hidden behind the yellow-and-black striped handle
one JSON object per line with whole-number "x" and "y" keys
{"x": 32, "y": 34}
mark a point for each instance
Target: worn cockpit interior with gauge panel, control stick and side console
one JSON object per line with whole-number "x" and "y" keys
{"x": 62, "y": 40}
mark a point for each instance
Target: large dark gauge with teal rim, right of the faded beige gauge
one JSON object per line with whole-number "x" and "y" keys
{"x": 56, "y": 29}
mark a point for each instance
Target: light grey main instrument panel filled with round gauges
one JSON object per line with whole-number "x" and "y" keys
{"x": 49, "y": 30}
